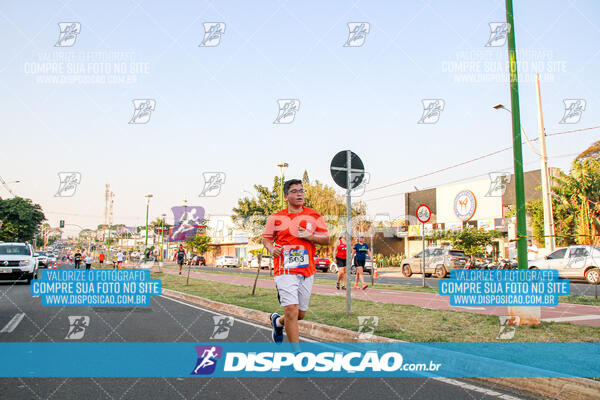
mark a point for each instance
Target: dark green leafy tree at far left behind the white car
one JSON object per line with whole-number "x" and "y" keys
{"x": 25, "y": 219}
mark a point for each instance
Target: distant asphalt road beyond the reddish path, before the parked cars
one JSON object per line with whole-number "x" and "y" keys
{"x": 582, "y": 288}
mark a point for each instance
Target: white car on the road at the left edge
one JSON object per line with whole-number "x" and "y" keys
{"x": 17, "y": 262}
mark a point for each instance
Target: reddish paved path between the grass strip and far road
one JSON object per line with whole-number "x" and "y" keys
{"x": 578, "y": 314}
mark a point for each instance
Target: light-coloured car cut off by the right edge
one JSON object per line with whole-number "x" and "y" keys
{"x": 575, "y": 262}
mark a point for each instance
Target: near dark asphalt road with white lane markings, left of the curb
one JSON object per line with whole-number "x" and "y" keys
{"x": 168, "y": 320}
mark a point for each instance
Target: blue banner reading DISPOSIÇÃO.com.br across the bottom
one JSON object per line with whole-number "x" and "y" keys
{"x": 221, "y": 359}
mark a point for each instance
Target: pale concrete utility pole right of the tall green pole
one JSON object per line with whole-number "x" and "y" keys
{"x": 549, "y": 241}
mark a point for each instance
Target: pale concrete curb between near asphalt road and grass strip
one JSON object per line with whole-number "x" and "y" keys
{"x": 554, "y": 388}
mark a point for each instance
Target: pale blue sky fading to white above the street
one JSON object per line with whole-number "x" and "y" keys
{"x": 215, "y": 106}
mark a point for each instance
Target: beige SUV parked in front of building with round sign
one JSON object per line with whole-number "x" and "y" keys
{"x": 439, "y": 261}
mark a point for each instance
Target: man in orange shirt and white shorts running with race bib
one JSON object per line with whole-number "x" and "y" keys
{"x": 290, "y": 236}
